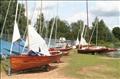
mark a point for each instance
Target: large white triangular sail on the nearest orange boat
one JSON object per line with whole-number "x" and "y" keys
{"x": 36, "y": 42}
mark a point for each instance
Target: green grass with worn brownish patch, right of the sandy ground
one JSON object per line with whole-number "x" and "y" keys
{"x": 92, "y": 67}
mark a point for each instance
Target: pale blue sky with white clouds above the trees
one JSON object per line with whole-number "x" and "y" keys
{"x": 72, "y": 11}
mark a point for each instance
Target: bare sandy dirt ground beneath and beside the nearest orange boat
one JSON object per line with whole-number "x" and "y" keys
{"x": 54, "y": 73}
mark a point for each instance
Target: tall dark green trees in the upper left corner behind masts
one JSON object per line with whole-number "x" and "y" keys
{"x": 11, "y": 17}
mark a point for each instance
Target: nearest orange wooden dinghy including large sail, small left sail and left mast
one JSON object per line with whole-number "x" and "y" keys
{"x": 38, "y": 54}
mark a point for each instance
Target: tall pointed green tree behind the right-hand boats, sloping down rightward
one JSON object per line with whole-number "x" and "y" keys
{"x": 103, "y": 33}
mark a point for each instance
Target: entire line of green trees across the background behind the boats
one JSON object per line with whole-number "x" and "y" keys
{"x": 98, "y": 31}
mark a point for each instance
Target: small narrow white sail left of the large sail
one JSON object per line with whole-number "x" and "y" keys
{"x": 16, "y": 33}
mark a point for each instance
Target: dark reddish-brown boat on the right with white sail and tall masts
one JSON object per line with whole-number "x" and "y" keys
{"x": 85, "y": 48}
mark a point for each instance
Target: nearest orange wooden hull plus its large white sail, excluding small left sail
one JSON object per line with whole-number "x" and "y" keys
{"x": 41, "y": 57}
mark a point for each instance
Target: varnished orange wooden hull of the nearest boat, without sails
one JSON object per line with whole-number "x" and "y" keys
{"x": 23, "y": 62}
